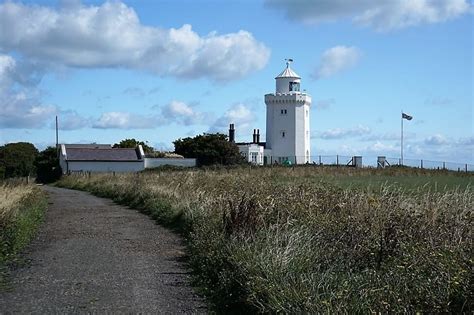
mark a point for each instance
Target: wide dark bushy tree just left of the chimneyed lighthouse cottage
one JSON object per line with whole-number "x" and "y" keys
{"x": 209, "y": 149}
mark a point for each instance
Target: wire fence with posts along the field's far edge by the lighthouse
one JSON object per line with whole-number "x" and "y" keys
{"x": 369, "y": 161}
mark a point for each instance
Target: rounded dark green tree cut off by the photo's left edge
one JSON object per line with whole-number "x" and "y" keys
{"x": 17, "y": 159}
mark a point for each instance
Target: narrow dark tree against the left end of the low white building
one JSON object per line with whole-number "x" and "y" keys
{"x": 47, "y": 166}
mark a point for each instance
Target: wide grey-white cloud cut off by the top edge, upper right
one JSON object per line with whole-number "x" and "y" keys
{"x": 379, "y": 15}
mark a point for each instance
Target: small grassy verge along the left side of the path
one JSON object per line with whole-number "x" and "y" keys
{"x": 21, "y": 211}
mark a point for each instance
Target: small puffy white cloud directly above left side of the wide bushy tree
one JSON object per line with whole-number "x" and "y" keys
{"x": 182, "y": 113}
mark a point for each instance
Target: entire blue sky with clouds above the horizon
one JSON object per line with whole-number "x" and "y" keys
{"x": 161, "y": 70}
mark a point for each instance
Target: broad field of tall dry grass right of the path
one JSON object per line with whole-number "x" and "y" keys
{"x": 312, "y": 240}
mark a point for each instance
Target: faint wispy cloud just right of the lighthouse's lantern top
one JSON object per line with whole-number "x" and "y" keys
{"x": 337, "y": 59}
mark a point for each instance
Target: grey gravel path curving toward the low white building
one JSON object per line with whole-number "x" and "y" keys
{"x": 93, "y": 256}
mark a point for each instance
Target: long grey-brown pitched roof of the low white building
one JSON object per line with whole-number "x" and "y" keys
{"x": 102, "y": 154}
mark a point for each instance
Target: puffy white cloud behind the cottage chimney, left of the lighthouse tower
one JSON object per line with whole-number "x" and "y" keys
{"x": 240, "y": 115}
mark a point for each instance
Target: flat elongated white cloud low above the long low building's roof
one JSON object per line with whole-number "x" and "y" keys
{"x": 125, "y": 120}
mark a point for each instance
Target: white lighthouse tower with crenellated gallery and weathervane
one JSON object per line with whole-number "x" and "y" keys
{"x": 287, "y": 130}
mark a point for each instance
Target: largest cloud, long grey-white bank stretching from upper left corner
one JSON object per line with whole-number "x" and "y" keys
{"x": 111, "y": 35}
